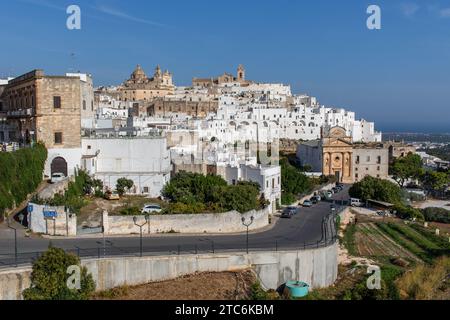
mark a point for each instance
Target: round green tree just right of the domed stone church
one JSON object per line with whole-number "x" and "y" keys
{"x": 405, "y": 168}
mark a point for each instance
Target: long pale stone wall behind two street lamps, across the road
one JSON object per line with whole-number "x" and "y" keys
{"x": 228, "y": 222}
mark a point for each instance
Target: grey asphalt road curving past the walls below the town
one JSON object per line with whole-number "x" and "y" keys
{"x": 303, "y": 230}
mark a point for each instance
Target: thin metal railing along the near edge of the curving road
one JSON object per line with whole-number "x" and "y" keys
{"x": 106, "y": 248}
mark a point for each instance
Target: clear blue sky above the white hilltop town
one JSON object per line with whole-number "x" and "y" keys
{"x": 398, "y": 76}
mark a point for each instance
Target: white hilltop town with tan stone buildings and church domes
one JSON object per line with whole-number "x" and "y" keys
{"x": 147, "y": 128}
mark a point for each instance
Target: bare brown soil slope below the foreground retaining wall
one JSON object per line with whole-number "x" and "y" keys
{"x": 201, "y": 286}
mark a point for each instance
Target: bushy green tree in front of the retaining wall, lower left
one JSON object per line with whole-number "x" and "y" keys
{"x": 49, "y": 278}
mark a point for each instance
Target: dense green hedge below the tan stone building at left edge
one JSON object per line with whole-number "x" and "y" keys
{"x": 20, "y": 174}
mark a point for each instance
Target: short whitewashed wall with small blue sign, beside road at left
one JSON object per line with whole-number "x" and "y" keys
{"x": 65, "y": 224}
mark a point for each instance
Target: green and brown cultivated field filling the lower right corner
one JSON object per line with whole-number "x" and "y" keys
{"x": 414, "y": 262}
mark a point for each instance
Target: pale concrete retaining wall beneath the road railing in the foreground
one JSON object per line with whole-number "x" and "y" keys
{"x": 317, "y": 267}
